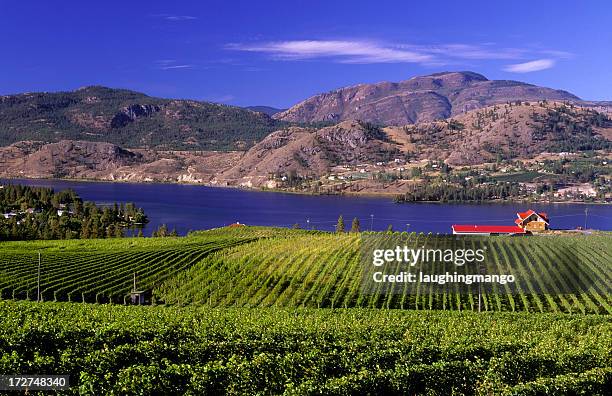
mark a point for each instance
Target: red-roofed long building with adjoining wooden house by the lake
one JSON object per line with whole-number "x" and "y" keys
{"x": 526, "y": 223}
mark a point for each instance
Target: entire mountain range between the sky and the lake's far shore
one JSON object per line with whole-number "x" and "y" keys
{"x": 458, "y": 117}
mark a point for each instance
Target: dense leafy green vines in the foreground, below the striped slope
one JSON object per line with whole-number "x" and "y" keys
{"x": 112, "y": 349}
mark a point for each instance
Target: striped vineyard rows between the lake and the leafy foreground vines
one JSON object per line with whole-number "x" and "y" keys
{"x": 265, "y": 267}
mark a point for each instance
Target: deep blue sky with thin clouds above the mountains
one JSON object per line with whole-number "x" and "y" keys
{"x": 279, "y": 52}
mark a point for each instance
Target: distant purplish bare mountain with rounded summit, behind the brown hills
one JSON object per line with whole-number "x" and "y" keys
{"x": 419, "y": 99}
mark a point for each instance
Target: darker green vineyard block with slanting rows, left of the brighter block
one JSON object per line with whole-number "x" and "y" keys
{"x": 100, "y": 270}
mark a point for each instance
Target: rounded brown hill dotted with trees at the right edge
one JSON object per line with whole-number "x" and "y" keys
{"x": 508, "y": 131}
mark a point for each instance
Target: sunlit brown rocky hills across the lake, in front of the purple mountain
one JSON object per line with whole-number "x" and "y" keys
{"x": 507, "y": 131}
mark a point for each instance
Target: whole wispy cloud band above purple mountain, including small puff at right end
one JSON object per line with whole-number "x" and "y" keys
{"x": 364, "y": 51}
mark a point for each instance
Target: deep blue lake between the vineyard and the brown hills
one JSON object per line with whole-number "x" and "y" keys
{"x": 191, "y": 207}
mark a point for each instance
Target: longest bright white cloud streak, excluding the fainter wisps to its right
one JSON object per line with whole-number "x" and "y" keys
{"x": 342, "y": 51}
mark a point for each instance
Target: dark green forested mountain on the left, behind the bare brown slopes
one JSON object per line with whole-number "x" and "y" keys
{"x": 129, "y": 119}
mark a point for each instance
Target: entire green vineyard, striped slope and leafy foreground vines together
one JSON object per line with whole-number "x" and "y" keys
{"x": 236, "y": 313}
